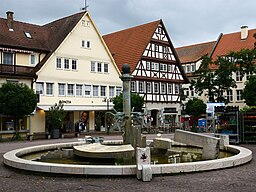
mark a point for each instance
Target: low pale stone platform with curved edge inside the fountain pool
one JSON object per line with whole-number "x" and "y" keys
{"x": 97, "y": 150}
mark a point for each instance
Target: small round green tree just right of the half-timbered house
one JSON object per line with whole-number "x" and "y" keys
{"x": 195, "y": 107}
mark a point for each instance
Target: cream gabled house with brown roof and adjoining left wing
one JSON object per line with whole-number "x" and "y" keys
{"x": 71, "y": 63}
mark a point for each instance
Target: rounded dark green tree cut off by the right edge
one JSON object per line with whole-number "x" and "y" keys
{"x": 249, "y": 91}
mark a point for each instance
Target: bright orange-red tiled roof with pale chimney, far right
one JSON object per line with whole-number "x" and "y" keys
{"x": 232, "y": 42}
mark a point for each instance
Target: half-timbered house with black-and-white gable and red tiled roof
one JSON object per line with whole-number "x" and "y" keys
{"x": 155, "y": 66}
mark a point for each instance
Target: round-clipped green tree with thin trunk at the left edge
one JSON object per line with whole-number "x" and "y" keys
{"x": 17, "y": 100}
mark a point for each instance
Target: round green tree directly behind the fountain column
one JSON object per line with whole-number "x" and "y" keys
{"x": 136, "y": 101}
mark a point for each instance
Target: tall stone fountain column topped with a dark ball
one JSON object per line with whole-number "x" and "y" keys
{"x": 126, "y": 78}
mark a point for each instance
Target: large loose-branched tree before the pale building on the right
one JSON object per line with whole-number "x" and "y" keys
{"x": 215, "y": 83}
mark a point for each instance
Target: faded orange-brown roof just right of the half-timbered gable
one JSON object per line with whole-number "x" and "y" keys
{"x": 193, "y": 53}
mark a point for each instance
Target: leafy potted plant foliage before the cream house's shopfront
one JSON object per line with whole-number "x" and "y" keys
{"x": 56, "y": 115}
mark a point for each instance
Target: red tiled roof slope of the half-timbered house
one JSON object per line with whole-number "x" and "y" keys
{"x": 127, "y": 46}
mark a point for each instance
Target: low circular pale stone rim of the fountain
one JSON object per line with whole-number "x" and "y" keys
{"x": 12, "y": 159}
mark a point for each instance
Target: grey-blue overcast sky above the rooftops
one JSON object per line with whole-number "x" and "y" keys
{"x": 187, "y": 21}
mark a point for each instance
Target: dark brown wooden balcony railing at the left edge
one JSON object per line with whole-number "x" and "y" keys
{"x": 16, "y": 70}
